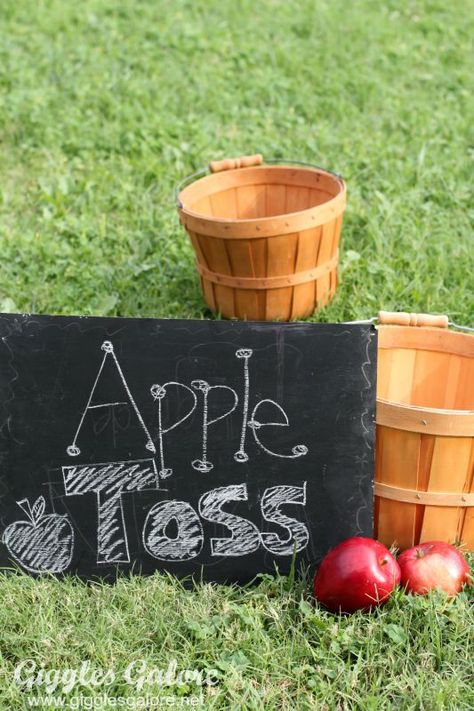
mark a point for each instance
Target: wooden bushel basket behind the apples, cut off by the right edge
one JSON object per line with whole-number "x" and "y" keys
{"x": 424, "y": 464}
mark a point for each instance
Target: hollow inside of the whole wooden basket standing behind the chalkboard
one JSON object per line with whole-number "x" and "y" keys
{"x": 255, "y": 193}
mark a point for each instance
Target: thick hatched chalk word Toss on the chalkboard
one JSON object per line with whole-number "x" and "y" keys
{"x": 110, "y": 482}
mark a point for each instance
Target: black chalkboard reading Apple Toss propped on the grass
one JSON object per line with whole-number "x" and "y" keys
{"x": 217, "y": 449}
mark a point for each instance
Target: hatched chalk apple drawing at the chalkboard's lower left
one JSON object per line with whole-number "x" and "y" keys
{"x": 43, "y": 543}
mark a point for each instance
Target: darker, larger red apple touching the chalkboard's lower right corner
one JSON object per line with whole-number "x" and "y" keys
{"x": 357, "y": 574}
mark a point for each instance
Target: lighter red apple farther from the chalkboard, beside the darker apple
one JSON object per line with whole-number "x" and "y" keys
{"x": 433, "y": 565}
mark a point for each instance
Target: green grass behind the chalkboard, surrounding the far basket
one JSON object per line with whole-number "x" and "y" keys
{"x": 106, "y": 106}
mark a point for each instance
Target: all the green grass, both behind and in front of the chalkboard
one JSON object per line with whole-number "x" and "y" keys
{"x": 104, "y": 107}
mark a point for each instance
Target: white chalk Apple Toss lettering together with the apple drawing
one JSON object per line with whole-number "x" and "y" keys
{"x": 173, "y": 530}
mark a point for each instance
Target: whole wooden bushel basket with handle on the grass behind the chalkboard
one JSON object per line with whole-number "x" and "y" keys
{"x": 266, "y": 237}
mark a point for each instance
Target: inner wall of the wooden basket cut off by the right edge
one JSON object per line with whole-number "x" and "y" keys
{"x": 426, "y": 378}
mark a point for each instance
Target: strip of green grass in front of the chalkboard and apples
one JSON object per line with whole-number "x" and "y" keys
{"x": 266, "y": 647}
